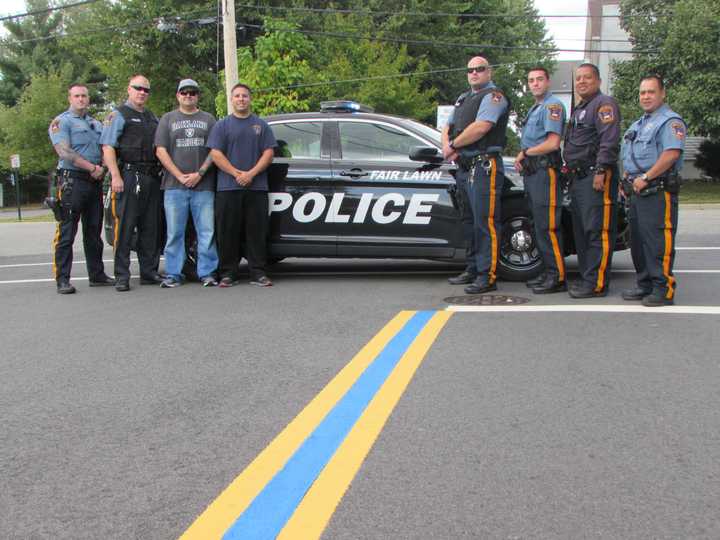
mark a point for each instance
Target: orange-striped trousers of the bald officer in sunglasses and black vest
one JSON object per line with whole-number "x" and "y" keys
{"x": 485, "y": 192}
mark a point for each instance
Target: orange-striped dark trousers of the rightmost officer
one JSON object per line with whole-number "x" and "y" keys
{"x": 653, "y": 226}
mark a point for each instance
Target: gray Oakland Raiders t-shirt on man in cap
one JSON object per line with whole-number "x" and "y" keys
{"x": 184, "y": 136}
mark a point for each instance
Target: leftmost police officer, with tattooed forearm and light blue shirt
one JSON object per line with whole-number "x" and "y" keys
{"x": 75, "y": 135}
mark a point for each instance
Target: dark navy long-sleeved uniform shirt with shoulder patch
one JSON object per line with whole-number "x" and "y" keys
{"x": 593, "y": 134}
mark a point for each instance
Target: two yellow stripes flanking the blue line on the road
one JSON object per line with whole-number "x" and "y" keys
{"x": 311, "y": 515}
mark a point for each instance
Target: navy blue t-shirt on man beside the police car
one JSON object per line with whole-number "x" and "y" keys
{"x": 242, "y": 140}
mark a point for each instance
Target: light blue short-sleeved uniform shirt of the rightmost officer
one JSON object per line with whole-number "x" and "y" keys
{"x": 656, "y": 132}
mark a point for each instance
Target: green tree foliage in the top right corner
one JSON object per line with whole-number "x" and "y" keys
{"x": 686, "y": 34}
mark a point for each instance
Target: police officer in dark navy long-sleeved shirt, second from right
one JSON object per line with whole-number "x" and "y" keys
{"x": 591, "y": 152}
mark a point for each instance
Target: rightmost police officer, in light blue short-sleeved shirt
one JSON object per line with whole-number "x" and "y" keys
{"x": 652, "y": 150}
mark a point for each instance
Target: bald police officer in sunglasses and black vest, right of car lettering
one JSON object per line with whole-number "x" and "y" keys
{"x": 475, "y": 138}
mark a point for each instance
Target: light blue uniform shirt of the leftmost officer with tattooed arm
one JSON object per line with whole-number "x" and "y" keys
{"x": 81, "y": 133}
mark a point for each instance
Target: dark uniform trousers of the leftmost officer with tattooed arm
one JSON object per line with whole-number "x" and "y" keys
{"x": 81, "y": 199}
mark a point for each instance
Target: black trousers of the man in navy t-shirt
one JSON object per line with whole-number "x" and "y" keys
{"x": 236, "y": 212}
